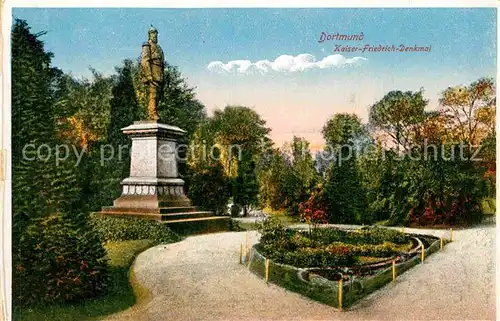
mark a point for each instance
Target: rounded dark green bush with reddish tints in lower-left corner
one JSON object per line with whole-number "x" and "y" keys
{"x": 56, "y": 262}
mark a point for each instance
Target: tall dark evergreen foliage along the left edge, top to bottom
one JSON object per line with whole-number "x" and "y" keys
{"x": 56, "y": 257}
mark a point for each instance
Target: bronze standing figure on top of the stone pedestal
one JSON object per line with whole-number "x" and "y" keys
{"x": 152, "y": 69}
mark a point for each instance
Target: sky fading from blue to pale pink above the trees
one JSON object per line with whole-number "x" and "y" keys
{"x": 463, "y": 48}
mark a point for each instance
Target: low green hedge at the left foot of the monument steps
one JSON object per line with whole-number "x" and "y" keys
{"x": 124, "y": 229}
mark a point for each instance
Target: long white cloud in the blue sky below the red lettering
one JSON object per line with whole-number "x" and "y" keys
{"x": 284, "y": 63}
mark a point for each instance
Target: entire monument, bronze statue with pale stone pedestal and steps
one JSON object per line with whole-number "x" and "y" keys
{"x": 154, "y": 189}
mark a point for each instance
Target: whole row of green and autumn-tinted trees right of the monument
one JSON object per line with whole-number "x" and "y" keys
{"x": 406, "y": 166}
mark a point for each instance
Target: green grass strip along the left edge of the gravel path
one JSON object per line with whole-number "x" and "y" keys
{"x": 123, "y": 292}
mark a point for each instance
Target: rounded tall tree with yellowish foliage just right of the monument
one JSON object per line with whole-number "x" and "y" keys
{"x": 234, "y": 136}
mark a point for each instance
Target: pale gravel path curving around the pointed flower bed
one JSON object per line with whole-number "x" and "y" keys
{"x": 200, "y": 279}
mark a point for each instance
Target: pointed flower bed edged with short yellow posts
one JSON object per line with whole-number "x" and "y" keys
{"x": 312, "y": 264}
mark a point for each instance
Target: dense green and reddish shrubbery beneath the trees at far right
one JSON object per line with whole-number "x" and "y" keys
{"x": 435, "y": 191}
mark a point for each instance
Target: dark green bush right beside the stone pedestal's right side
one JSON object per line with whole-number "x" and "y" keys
{"x": 209, "y": 188}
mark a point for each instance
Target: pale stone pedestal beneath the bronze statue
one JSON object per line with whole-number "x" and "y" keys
{"x": 154, "y": 181}
